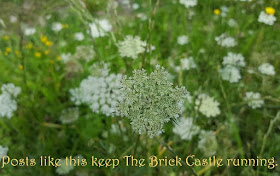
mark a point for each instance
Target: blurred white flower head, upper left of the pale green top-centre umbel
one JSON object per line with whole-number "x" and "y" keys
{"x": 99, "y": 28}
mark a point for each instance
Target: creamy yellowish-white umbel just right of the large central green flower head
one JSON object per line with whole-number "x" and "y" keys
{"x": 207, "y": 105}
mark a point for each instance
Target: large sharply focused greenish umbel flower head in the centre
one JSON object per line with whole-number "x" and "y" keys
{"x": 150, "y": 100}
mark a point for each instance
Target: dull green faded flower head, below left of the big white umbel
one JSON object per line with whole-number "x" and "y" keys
{"x": 69, "y": 115}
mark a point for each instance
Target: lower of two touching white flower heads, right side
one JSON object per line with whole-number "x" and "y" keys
{"x": 230, "y": 73}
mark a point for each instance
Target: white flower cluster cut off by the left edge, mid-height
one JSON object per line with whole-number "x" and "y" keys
{"x": 8, "y": 103}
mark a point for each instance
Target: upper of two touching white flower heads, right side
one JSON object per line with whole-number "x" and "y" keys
{"x": 234, "y": 59}
